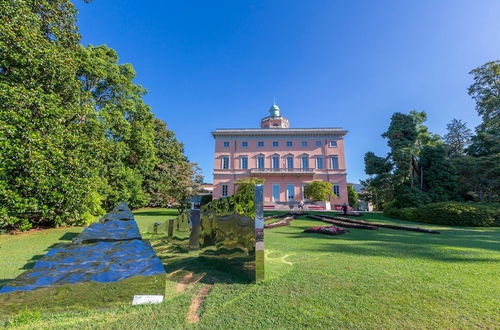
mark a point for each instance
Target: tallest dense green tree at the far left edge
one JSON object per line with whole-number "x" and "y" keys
{"x": 48, "y": 176}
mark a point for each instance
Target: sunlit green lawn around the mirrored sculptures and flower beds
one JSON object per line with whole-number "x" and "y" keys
{"x": 363, "y": 279}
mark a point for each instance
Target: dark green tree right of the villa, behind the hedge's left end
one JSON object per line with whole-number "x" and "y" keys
{"x": 400, "y": 177}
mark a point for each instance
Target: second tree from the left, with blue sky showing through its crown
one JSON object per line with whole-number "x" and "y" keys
{"x": 127, "y": 123}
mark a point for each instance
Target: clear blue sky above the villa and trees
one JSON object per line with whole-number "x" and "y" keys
{"x": 349, "y": 64}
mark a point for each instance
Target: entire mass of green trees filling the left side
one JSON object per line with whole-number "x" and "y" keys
{"x": 75, "y": 134}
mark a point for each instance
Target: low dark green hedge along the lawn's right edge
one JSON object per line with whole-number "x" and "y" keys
{"x": 450, "y": 213}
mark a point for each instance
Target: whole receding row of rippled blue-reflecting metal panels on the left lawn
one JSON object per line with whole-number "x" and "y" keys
{"x": 104, "y": 252}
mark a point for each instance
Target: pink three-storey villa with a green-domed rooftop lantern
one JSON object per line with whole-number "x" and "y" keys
{"x": 287, "y": 158}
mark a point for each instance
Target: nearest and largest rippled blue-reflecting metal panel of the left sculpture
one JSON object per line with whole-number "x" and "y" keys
{"x": 98, "y": 262}
